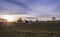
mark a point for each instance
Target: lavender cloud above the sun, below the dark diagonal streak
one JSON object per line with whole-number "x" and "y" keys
{"x": 12, "y": 8}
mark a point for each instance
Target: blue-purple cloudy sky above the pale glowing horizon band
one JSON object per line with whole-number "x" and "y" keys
{"x": 43, "y": 8}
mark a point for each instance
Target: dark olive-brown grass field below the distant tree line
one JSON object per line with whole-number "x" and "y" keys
{"x": 32, "y": 30}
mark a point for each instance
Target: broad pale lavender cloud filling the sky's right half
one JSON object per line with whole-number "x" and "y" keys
{"x": 46, "y": 8}
